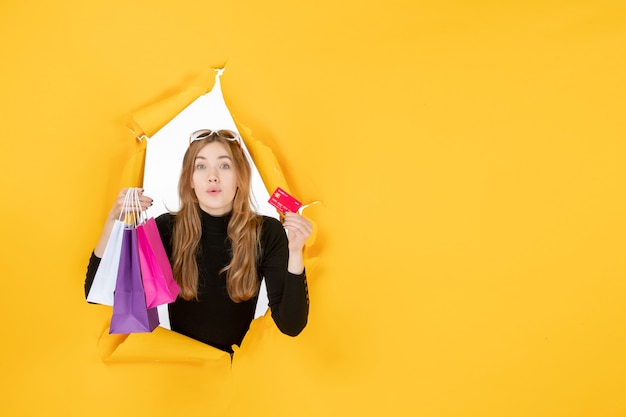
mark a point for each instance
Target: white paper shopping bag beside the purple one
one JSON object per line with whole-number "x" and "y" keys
{"x": 103, "y": 286}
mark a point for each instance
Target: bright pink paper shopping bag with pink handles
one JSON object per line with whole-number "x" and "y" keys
{"x": 156, "y": 271}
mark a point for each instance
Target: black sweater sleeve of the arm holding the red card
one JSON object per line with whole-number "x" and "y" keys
{"x": 287, "y": 293}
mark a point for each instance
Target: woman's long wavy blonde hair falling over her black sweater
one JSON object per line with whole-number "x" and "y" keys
{"x": 243, "y": 228}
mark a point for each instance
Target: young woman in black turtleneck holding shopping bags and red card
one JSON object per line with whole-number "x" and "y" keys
{"x": 220, "y": 249}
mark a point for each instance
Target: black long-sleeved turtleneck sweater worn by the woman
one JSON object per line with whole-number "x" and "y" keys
{"x": 215, "y": 319}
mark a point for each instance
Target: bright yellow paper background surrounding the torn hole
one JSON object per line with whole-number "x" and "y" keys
{"x": 469, "y": 155}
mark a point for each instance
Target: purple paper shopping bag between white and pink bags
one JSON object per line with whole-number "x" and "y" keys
{"x": 130, "y": 313}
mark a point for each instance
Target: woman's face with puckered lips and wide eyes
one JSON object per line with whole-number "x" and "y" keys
{"x": 214, "y": 179}
